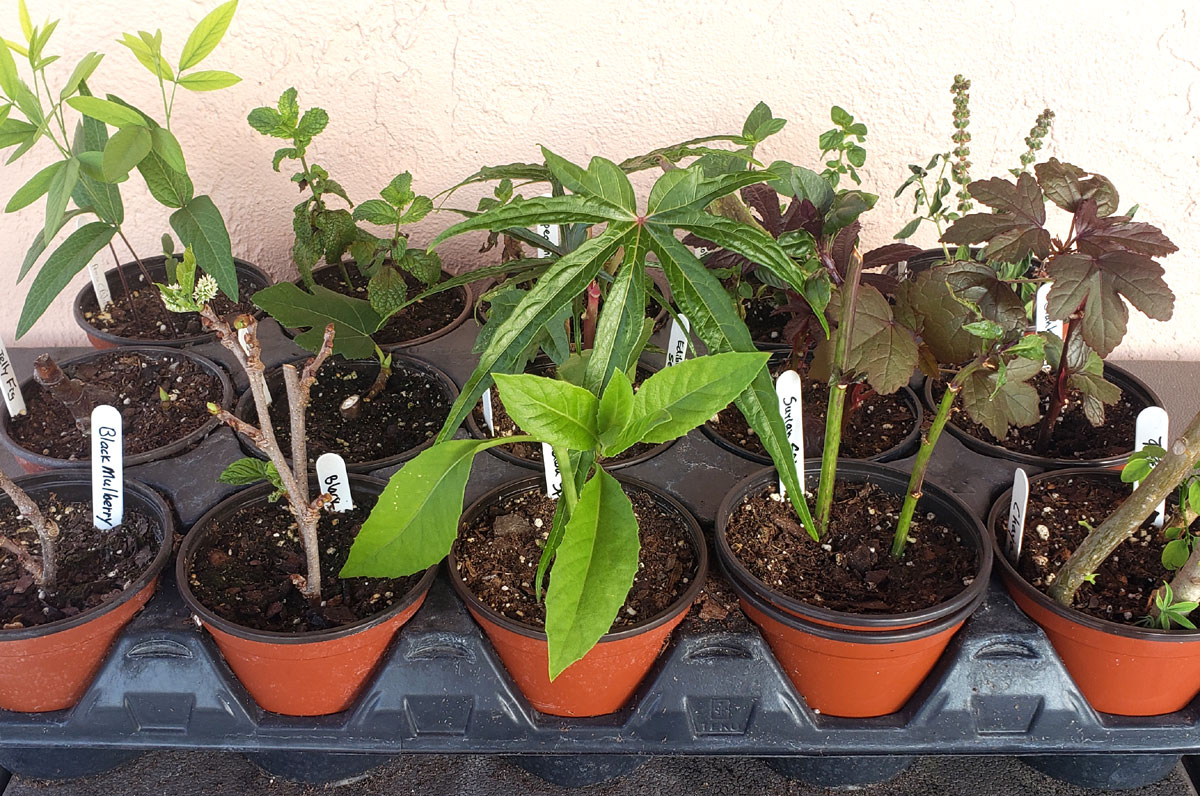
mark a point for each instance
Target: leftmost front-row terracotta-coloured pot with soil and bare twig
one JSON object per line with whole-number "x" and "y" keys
{"x": 69, "y": 590}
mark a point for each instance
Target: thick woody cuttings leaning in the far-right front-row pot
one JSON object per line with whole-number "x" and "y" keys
{"x": 1100, "y": 544}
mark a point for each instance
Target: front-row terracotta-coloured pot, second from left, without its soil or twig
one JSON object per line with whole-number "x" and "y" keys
{"x": 298, "y": 674}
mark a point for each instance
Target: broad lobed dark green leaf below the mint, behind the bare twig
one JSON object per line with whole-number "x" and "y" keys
{"x": 353, "y": 319}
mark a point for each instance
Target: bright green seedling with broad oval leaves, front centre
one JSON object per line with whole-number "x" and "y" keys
{"x": 595, "y": 540}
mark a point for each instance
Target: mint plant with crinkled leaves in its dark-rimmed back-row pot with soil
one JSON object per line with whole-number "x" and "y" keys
{"x": 386, "y": 272}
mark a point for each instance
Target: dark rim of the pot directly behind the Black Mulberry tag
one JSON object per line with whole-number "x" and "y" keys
{"x": 37, "y": 463}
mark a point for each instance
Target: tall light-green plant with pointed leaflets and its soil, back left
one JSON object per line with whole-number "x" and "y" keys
{"x": 88, "y": 171}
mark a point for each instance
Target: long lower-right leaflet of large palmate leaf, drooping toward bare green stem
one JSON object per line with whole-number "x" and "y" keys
{"x": 716, "y": 321}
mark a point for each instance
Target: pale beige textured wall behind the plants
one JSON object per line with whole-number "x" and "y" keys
{"x": 443, "y": 88}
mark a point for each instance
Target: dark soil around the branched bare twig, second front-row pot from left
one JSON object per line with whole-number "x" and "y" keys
{"x": 243, "y": 572}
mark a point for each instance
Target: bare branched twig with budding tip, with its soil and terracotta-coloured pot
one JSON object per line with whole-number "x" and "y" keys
{"x": 302, "y": 641}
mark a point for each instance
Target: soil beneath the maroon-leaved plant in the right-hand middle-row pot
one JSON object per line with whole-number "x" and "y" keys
{"x": 1073, "y": 436}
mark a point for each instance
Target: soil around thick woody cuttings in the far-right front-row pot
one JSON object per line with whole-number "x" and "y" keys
{"x": 1126, "y": 582}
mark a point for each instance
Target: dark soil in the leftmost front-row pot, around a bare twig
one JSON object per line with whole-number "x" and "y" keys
{"x": 94, "y": 566}
